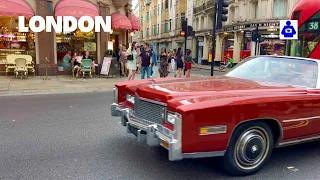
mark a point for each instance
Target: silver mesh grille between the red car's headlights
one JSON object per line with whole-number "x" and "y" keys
{"x": 149, "y": 111}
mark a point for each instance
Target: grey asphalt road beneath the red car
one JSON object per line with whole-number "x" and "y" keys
{"x": 73, "y": 136}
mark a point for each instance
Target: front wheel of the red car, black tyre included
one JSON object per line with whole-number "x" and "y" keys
{"x": 250, "y": 148}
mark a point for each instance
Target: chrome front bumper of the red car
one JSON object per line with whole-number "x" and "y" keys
{"x": 151, "y": 133}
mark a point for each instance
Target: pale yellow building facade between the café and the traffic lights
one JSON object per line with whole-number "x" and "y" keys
{"x": 161, "y": 22}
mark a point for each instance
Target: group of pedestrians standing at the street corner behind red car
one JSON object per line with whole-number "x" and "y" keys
{"x": 145, "y": 58}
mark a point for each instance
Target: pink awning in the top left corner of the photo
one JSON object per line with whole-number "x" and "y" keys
{"x": 15, "y": 8}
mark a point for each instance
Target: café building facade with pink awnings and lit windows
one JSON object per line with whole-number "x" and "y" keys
{"x": 53, "y": 46}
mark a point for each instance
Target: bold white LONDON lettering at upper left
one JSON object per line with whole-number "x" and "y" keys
{"x": 69, "y": 24}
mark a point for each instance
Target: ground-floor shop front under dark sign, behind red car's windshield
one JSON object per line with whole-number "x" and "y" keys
{"x": 237, "y": 41}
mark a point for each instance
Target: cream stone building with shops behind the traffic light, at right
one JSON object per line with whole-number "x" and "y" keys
{"x": 234, "y": 38}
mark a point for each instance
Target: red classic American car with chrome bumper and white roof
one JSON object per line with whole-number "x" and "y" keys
{"x": 263, "y": 103}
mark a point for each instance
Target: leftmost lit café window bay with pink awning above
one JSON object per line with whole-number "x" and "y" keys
{"x": 12, "y": 41}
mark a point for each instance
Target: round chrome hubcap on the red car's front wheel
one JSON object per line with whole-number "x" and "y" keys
{"x": 251, "y": 148}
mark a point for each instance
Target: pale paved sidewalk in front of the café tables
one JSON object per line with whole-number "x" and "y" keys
{"x": 60, "y": 84}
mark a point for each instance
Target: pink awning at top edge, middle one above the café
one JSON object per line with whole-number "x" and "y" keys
{"x": 76, "y": 8}
